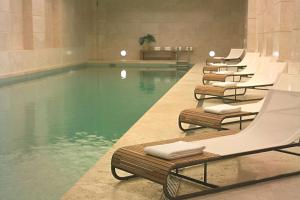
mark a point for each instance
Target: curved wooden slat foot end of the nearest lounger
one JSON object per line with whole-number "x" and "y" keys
{"x": 133, "y": 160}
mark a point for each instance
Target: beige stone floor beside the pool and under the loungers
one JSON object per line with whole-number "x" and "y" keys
{"x": 159, "y": 123}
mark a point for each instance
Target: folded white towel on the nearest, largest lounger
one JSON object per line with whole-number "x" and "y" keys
{"x": 174, "y": 150}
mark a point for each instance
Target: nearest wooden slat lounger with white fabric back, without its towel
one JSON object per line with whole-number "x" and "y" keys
{"x": 265, "y": 134}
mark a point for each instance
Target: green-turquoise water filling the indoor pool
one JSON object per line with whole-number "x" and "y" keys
{"x": 53, "y": 129}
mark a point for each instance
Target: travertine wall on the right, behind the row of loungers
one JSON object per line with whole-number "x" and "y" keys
{"x": 274, "y": 29}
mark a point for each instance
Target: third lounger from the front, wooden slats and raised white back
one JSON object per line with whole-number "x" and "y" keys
{"x": 266, "y": 76}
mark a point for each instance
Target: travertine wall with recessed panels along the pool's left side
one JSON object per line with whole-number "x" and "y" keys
{"x": 38, "y": 34}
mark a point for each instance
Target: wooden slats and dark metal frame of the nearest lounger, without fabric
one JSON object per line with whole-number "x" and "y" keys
{"x": 132, "y": 159}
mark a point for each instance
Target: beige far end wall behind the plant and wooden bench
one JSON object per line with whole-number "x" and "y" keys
{"x": 202, "y": 24}
